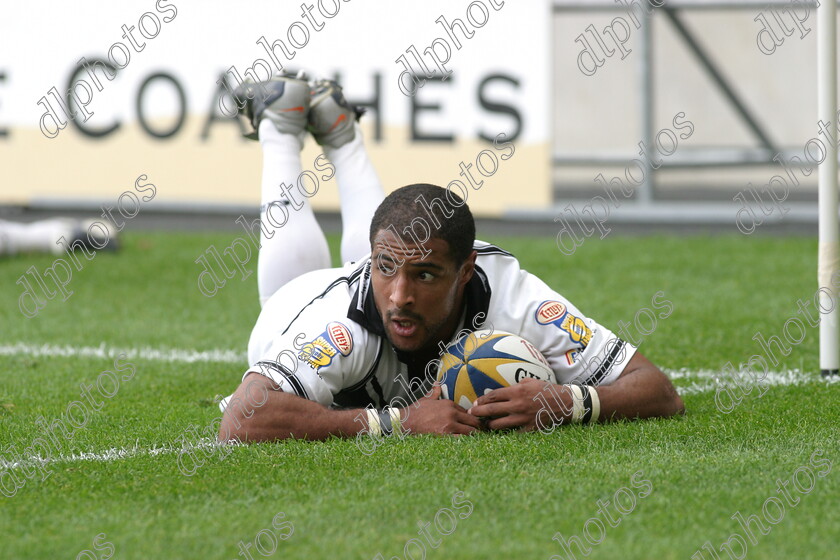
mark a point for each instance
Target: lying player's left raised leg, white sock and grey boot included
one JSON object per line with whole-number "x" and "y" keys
{"x": 292, "y": 242}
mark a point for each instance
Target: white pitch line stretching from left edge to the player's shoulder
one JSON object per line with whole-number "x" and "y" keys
{"x": 102, "y": 351}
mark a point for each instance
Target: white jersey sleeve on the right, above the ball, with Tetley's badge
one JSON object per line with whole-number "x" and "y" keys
{"x": 578, "y": 349}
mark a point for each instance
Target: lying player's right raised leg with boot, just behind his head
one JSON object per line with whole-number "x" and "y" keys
{"x": 333, "y": 124}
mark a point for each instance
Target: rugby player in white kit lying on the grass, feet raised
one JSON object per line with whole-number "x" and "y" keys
{"x": 352, "y": 350}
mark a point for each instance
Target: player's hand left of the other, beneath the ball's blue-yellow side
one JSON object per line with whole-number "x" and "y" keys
{"x": 433, "y": 415}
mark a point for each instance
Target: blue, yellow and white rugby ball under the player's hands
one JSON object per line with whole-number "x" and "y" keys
{"x": 484, "y": 360}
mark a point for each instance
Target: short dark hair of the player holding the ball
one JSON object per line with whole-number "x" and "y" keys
{"x": 449, "y": 217}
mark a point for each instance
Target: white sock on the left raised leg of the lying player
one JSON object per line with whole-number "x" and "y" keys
{"x": 297, "y": 245}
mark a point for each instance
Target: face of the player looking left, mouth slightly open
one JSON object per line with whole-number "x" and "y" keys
{"x": 419, "y": 298}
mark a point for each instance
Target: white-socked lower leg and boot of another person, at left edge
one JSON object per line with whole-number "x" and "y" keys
{"x": 54, "y": 235}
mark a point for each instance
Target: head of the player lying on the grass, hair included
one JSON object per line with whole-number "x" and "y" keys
{"x": 422, "y": 258}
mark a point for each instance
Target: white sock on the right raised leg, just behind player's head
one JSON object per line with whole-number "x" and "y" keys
{"x": 360, "y": 192}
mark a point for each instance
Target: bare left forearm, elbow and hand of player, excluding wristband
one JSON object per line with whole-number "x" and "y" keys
{"x": 260, "y": 411}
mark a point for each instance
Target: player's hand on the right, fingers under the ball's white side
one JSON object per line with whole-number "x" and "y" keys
{"x": 529, "y": 405}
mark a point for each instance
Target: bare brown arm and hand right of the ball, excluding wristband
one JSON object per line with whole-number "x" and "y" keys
{"x": 641, "y": 391}
